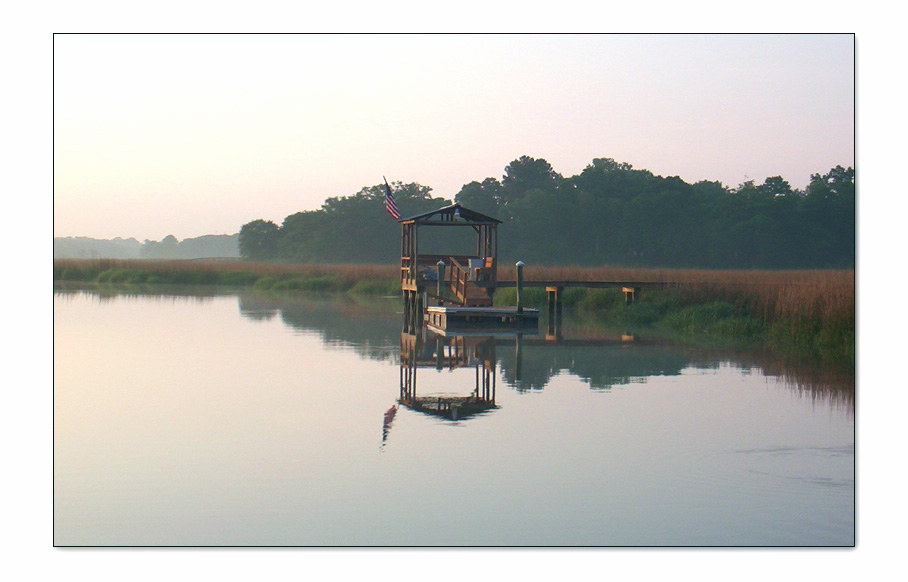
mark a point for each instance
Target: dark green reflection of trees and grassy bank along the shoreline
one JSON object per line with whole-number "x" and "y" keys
{"x": 602, "y": 359}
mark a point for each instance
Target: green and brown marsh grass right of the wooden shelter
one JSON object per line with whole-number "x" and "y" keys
{"x": 809, "y": 314}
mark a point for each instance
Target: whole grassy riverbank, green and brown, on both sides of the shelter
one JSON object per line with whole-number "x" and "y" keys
{"x": 806, "y": 315}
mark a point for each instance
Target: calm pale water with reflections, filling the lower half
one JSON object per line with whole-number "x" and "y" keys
{"x": 238, "y": 420}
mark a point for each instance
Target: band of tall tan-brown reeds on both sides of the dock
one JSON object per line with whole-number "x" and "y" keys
{"x": 823, "y": 296}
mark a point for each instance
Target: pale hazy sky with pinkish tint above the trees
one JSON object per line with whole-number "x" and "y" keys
{"x": 198, "y": 134}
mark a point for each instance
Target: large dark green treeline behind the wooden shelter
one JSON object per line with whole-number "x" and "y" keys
{"x": 610, "y": 213}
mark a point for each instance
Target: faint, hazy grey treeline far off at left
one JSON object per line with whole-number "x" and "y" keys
{"x": 208, "y": 246}
